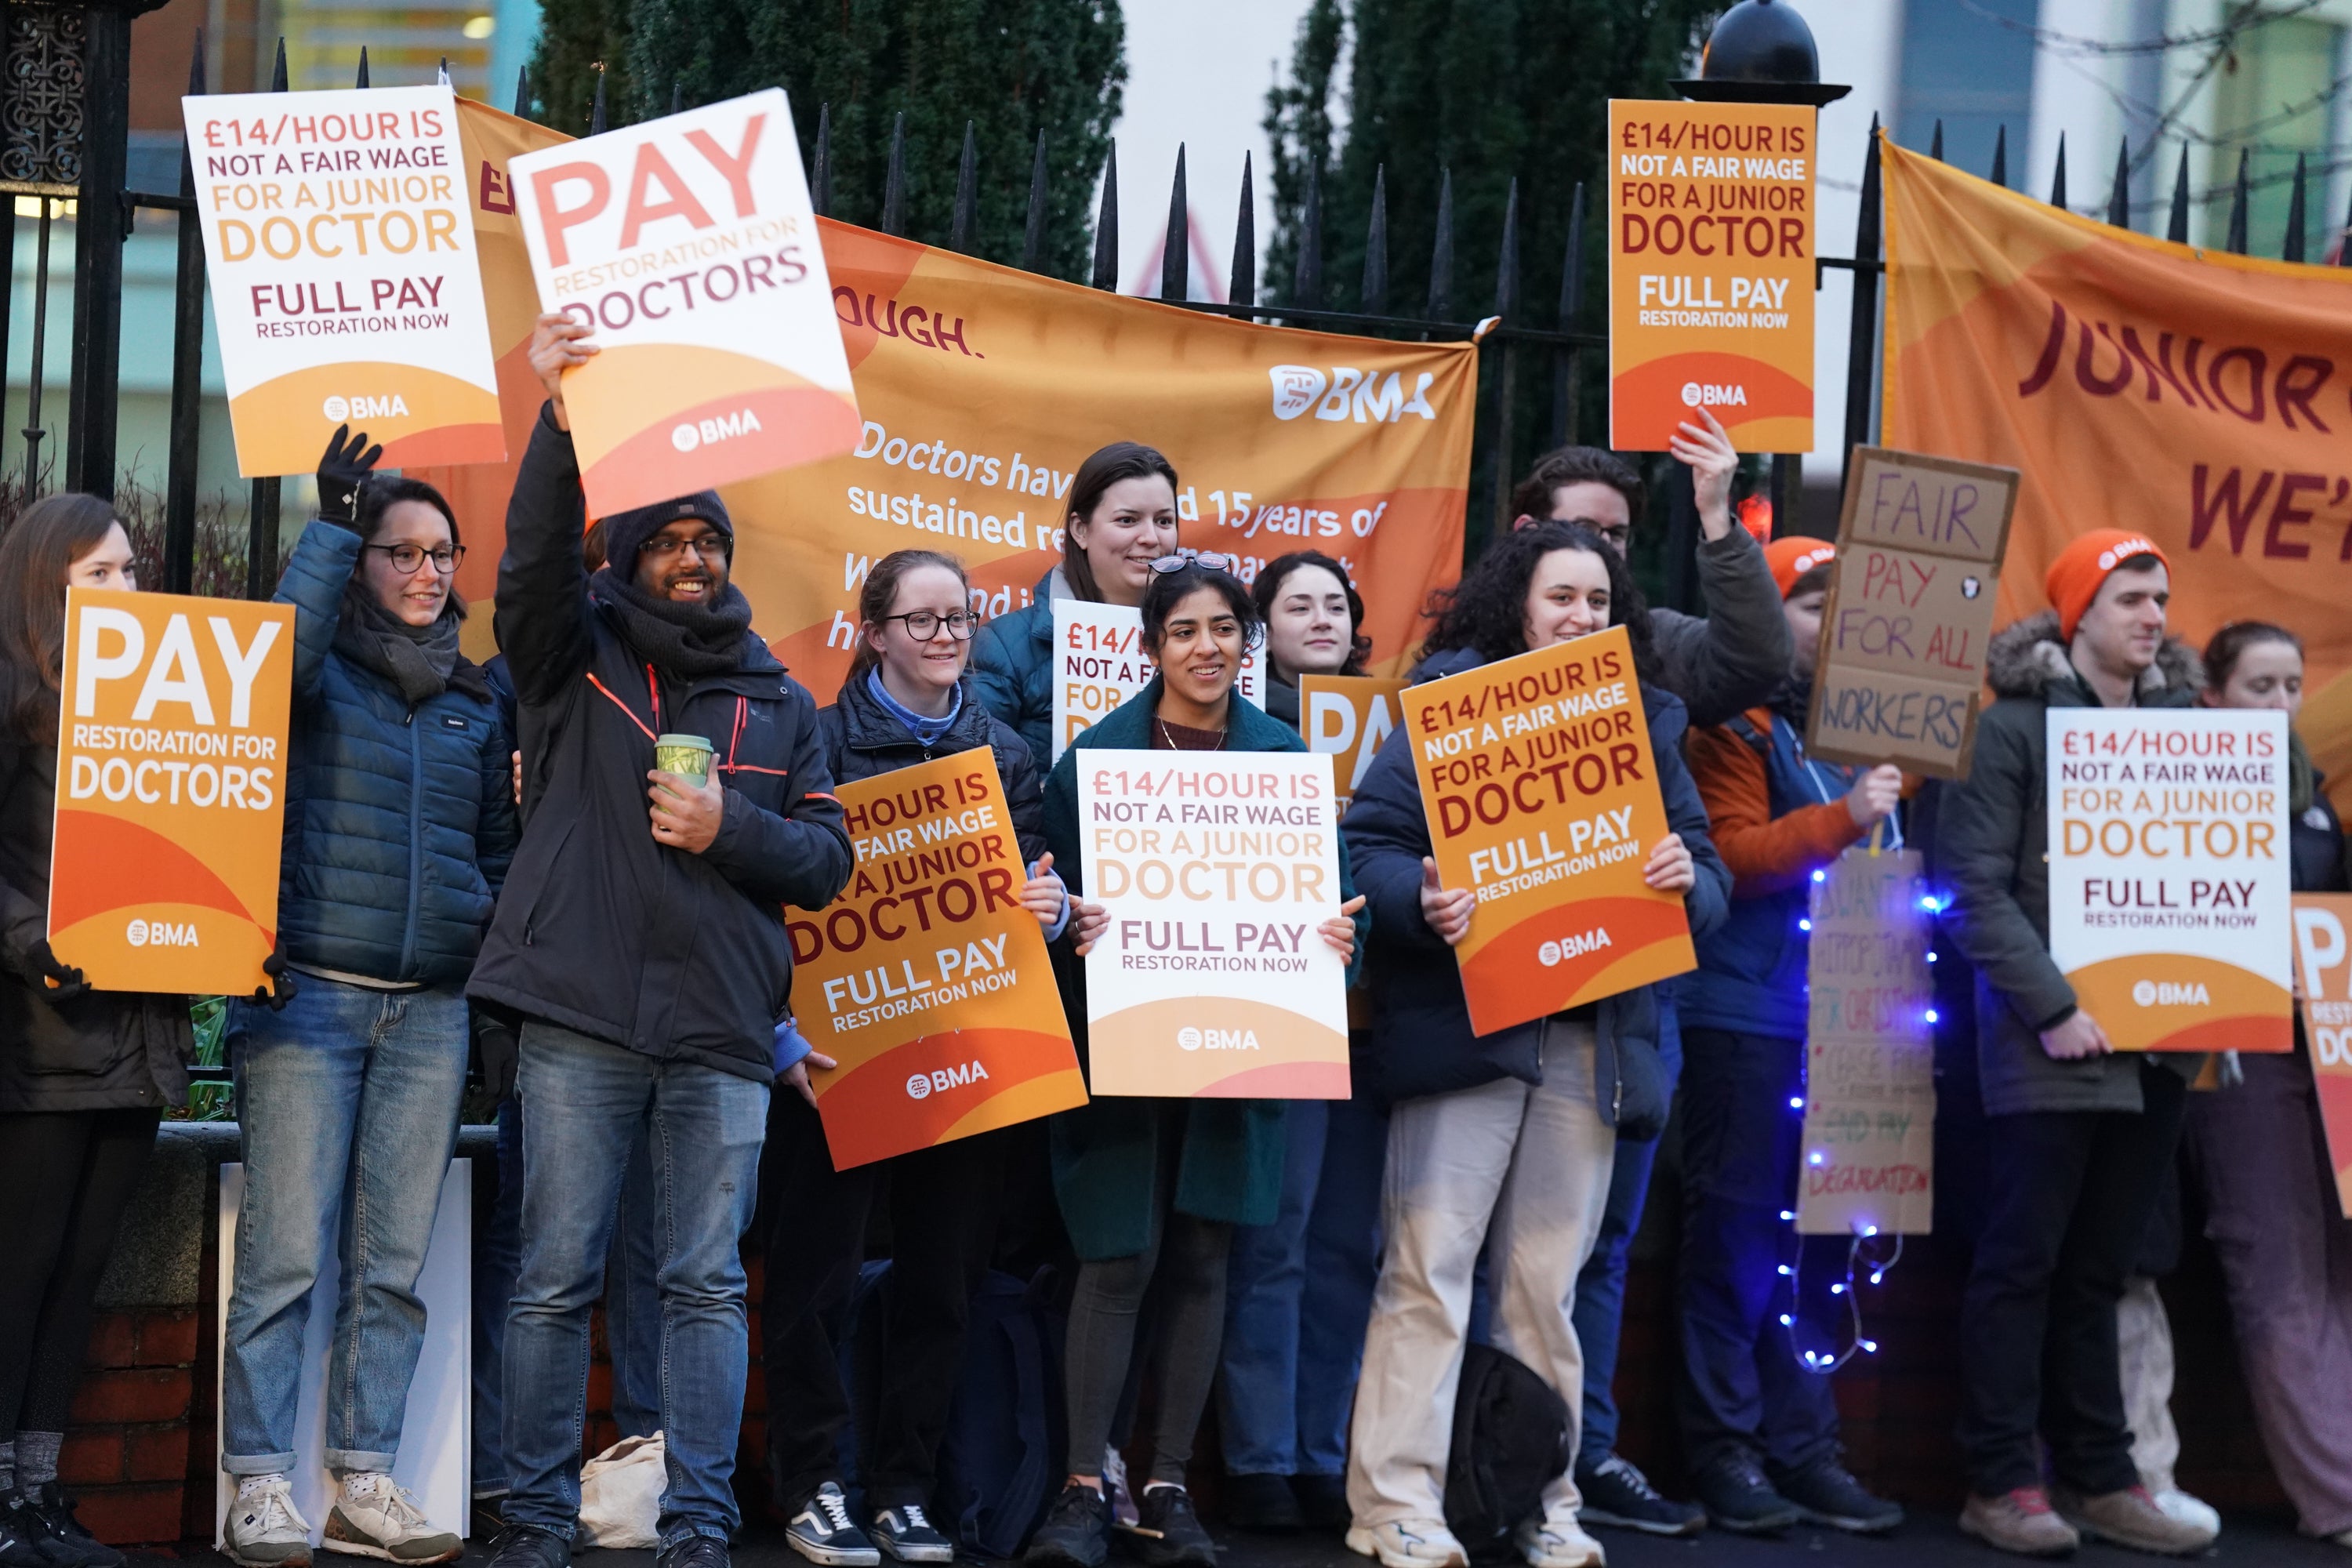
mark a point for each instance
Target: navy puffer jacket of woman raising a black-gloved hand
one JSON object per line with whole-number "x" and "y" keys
{"x": 399, "y": 819}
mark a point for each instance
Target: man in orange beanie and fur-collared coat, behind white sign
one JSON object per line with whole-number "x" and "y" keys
{"x": 2083, "y": 1137}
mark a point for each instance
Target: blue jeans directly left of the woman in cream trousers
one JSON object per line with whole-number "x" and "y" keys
{"x": 1299, "y": 1294}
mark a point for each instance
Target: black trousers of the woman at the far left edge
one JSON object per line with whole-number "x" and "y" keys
{"x": 67, "y": 1177}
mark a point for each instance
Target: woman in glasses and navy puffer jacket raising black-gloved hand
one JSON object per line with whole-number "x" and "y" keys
{"x": 399, "y": 826}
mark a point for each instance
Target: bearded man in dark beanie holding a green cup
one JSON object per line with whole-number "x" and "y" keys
{"x": 643, "y": 946}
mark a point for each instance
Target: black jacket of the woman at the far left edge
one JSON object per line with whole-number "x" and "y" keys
{"x": 102, "y": 1050}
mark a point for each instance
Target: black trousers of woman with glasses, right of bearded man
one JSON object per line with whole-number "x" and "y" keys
{"x": 942, "y": 1219}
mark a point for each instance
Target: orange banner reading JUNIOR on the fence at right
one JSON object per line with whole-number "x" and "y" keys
{"x": 2179, "y": 391}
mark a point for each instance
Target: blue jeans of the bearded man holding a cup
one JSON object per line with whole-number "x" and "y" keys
{"x": 587, "y": 1108}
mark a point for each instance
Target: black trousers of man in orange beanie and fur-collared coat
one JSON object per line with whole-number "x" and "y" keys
{"x": 2069, "y": 1200}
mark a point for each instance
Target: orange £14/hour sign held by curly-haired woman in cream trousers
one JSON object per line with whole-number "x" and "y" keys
{"x": 1544, "y": 798}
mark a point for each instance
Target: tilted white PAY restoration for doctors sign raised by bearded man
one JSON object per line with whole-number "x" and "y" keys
{"x": 690, "y": 250}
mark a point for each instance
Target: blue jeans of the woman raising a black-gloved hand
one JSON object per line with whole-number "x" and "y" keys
{"x": 347, "y": 1106}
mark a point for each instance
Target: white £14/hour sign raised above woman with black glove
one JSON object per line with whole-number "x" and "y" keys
{"x": 345, "y": 276}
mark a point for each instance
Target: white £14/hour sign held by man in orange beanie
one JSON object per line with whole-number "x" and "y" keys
{"x": 2170, "y": 876}
